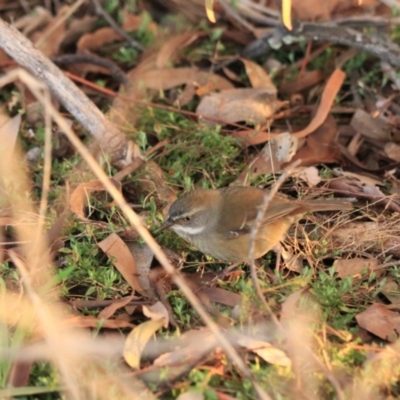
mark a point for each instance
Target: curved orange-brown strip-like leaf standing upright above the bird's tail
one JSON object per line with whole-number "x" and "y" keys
{"x": 331, "y": 89}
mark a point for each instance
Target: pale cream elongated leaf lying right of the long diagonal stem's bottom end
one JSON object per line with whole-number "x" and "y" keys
{"x": 265, "y": 350}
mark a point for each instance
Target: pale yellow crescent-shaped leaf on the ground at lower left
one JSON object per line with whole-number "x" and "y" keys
{"x": 137, "y": 340}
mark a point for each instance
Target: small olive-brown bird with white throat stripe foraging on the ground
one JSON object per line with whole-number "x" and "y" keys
{"x": 218, "y": 222}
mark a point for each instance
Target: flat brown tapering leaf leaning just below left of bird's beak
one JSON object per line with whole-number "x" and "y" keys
{"x": 122, "y": 259}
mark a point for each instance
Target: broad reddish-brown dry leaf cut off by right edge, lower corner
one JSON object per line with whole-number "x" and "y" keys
{"x": 380, "y": 321}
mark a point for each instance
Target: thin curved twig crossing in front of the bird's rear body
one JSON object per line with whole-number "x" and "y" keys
{"x": 260, "y": 215}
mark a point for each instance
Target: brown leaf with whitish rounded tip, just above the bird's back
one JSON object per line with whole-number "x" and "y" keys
{"x": 270, "y": 159}
